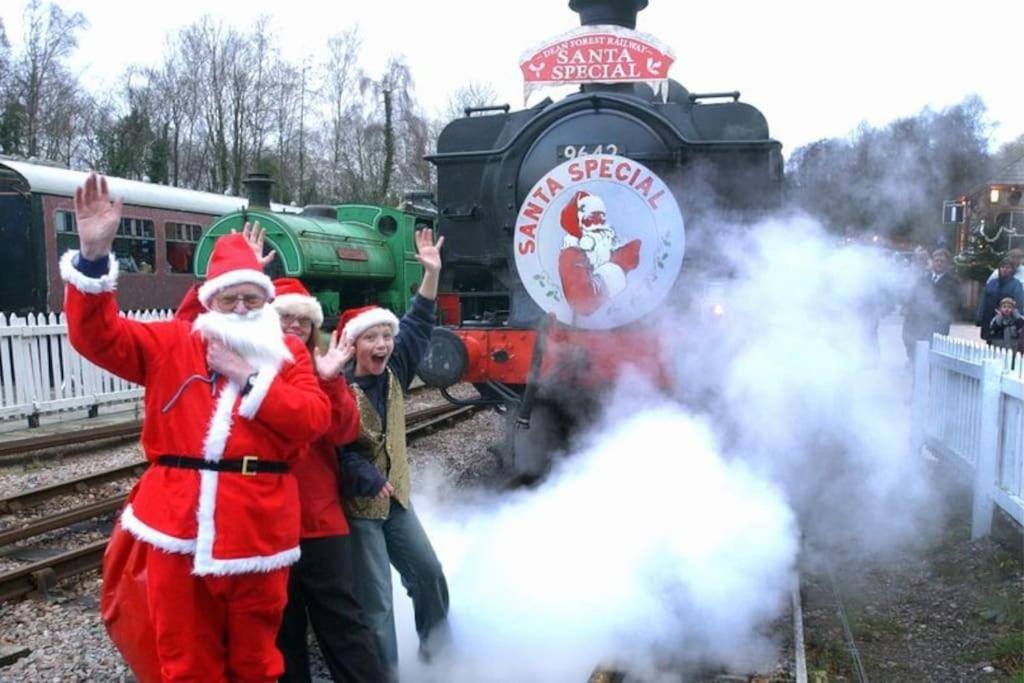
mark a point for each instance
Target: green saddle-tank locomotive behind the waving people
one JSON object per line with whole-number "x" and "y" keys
{"x": 348, "y": 255}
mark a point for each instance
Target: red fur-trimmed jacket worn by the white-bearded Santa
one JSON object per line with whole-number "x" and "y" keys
{"x": 232, "y": 523}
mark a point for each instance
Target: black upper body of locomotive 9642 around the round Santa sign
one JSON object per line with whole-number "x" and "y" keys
{"x": 716, "y": 156}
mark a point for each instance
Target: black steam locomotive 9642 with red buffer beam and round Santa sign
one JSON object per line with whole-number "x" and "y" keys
{"x": 536, "y": 211}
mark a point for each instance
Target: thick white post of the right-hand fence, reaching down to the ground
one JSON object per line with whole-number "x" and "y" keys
{"x": 985, "y": 474}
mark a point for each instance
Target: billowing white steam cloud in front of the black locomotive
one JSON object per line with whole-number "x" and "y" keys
{"x": 668, "y": 540}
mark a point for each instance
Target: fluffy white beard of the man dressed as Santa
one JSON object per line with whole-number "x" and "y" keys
{"x": 257, "y": 336}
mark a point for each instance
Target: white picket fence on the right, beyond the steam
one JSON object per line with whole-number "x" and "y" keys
{"x": 969, "y": 410}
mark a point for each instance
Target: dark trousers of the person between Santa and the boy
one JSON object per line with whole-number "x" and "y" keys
{"x": 321, "y": 586}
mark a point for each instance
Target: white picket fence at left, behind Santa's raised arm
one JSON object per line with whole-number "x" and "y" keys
{"x": 40, "y": 373}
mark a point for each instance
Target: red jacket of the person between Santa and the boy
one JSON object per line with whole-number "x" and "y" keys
{"x": 318, "y": 471}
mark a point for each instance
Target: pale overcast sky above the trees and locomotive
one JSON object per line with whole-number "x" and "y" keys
{"x": 816, "y": 69}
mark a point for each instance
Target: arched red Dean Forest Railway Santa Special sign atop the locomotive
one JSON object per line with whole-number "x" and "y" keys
{"x": 598, "y": 55}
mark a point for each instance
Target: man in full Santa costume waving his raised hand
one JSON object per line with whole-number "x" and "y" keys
{"x": 230, "y": 401}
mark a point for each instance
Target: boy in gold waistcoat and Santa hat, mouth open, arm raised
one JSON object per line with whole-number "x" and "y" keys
{"x": 376, "y": 481}
